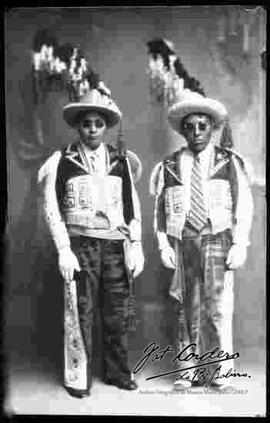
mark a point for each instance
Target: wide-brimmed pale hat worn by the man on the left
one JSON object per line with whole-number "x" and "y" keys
{"x": 94, "y": 100}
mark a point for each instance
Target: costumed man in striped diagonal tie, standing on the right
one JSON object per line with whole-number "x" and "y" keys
{"x": 203, "y": 214}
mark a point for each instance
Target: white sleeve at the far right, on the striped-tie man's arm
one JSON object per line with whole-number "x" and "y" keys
{"x": 244, "y": 208}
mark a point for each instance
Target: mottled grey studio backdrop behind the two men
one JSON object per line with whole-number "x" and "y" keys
{"x": 222, "y": 47}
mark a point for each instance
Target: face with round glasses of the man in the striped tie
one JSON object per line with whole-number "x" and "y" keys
{"x": 197, "y": 129}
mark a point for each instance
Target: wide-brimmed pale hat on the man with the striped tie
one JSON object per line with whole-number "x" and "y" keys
{"x": 192, "y": 102}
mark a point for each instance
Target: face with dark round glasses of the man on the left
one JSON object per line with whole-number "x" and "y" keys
{"x": 92, "y": 127}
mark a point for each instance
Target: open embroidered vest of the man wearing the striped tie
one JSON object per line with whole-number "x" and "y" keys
{"x": 222, "y": 191}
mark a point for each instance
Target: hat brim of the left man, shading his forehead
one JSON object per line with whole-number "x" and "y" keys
{"x": 71, "y": 111}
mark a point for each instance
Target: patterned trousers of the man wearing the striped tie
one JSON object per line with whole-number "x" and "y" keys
{"x": 206, "y": 310}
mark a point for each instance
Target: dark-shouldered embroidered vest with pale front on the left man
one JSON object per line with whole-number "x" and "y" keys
{"x": 93, "y": 201}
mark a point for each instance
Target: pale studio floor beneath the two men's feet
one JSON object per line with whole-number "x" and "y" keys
{"x": 34, "y": 387}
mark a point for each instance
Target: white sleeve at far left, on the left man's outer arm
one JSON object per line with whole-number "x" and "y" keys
{"x": 47, "y": 176}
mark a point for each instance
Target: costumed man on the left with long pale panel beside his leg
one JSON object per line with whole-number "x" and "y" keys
{"x": 93, "y": 214}
